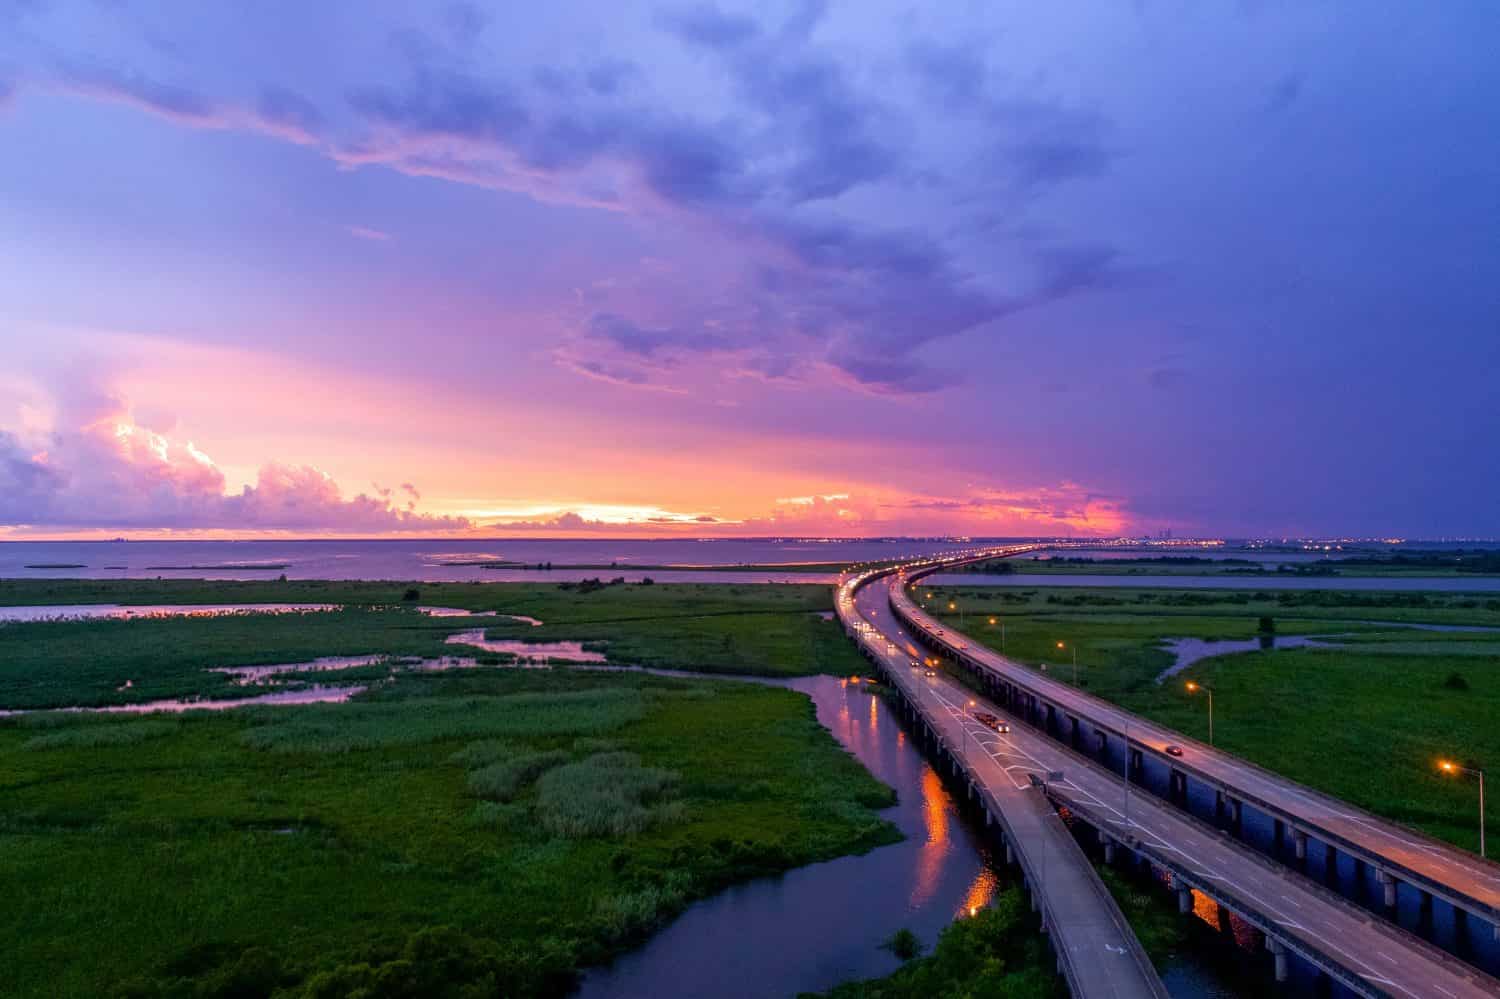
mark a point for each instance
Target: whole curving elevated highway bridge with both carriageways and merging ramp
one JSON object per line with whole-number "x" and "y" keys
{"x": 1057, "y": 730}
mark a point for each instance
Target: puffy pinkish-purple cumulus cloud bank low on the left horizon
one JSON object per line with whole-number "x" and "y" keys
{"x": 101, "y": 469}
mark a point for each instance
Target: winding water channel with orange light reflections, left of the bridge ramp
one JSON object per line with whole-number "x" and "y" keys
{"x": 824, "y": 923}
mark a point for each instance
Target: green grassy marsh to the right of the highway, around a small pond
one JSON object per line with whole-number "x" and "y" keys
{"x": 1366, "y": 721}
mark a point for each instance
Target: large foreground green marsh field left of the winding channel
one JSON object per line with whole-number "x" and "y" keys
{"x": 491, "y": 829}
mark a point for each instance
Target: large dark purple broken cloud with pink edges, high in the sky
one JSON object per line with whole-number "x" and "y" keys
{"x": 818, "y": 286}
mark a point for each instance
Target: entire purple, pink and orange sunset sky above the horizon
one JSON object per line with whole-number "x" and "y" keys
{"x": 364, "y": 268}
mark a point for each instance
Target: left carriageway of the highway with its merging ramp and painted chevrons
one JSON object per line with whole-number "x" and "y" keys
{"x": 1300, "y": 919}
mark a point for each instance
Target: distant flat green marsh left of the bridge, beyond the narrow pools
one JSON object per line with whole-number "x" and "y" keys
{"x": 763, "y": 629}
